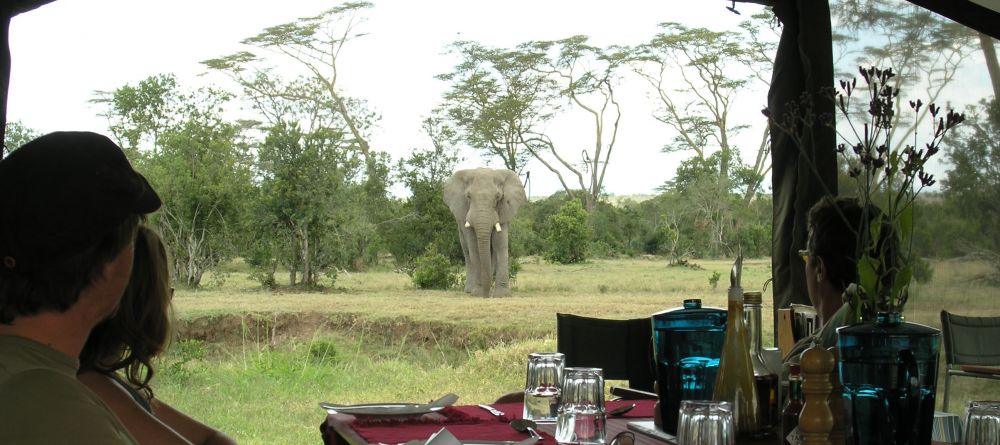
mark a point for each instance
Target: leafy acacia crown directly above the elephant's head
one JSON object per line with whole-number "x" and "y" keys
{"x": 496, "y": 102}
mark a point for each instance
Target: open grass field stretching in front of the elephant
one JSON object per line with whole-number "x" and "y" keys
{"x": 255, "y": 363}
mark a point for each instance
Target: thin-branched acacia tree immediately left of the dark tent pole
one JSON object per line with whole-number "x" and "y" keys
{"x": 695, "y": 75}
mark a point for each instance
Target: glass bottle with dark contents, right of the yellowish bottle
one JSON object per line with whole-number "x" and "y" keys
{"x": 765, "y": 380}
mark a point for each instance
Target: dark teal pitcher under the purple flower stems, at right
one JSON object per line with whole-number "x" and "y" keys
{"x": 889, "y": 373}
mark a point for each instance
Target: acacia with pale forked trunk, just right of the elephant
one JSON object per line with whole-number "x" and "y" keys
{"x": 586, "y": 77}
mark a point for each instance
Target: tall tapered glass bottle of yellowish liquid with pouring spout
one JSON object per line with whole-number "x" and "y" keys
{"x": 734, "y": 382}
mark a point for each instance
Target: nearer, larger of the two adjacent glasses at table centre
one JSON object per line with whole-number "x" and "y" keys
{"x": 581, "y": 418}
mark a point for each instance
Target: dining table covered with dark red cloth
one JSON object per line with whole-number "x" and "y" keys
{"x": 473, "y": 423}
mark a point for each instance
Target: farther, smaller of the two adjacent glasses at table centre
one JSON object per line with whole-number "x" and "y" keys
{"x": 543, "y": 386}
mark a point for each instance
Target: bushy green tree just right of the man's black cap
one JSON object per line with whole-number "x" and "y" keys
{"x": 198, "y": 163}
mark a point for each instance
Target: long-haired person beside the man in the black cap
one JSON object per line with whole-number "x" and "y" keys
{"x": 116, "y": 361}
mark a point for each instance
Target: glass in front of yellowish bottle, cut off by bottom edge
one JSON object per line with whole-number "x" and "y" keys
{"x": 704, "y": 422}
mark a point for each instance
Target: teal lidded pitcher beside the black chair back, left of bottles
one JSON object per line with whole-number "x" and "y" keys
{"x": 688, "y": 344}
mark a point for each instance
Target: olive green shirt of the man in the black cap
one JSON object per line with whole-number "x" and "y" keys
{"x": 42, "y": 402}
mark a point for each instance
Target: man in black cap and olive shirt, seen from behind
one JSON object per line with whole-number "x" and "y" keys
{"x": 70, "y": 204}
